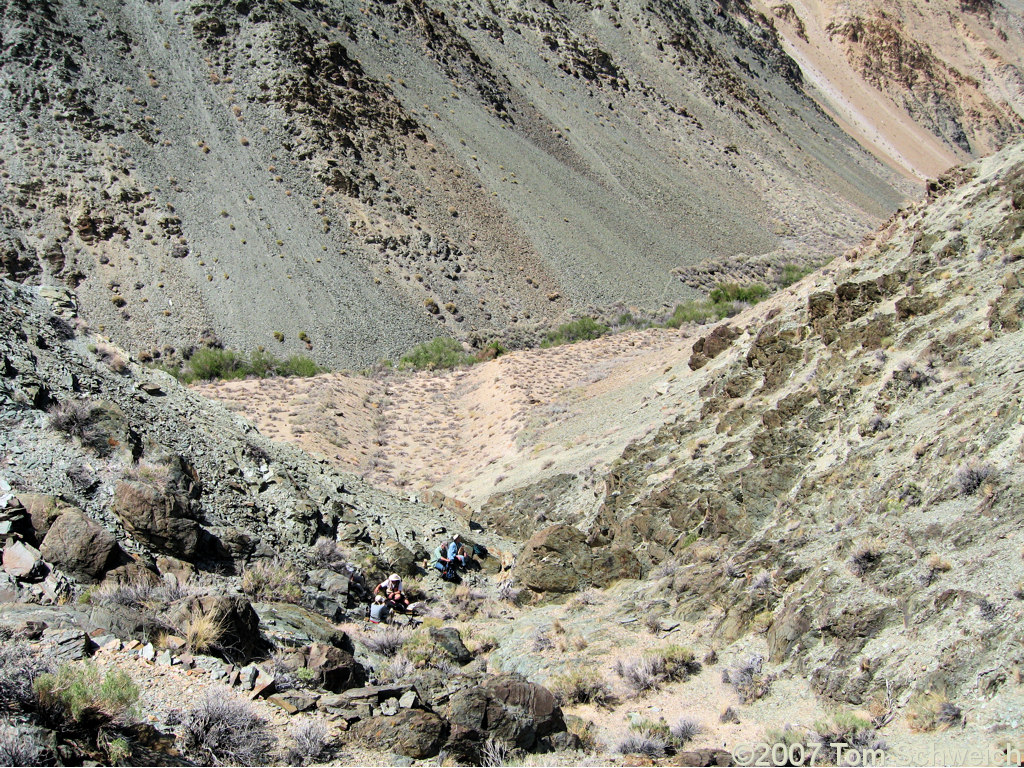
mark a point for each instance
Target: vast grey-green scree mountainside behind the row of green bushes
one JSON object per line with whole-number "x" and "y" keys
{"x": 370, "y": 178}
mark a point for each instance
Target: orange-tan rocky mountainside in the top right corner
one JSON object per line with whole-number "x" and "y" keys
{"x": 920, "y": 86}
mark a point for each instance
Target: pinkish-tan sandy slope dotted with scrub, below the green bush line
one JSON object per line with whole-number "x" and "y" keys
{"x": 475, "y": 432}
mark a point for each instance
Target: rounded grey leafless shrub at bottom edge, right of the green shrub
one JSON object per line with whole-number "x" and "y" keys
{"x": 221, "y": 731}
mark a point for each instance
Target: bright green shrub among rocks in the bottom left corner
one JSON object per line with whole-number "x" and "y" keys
{"x": 81, "y": 692}
